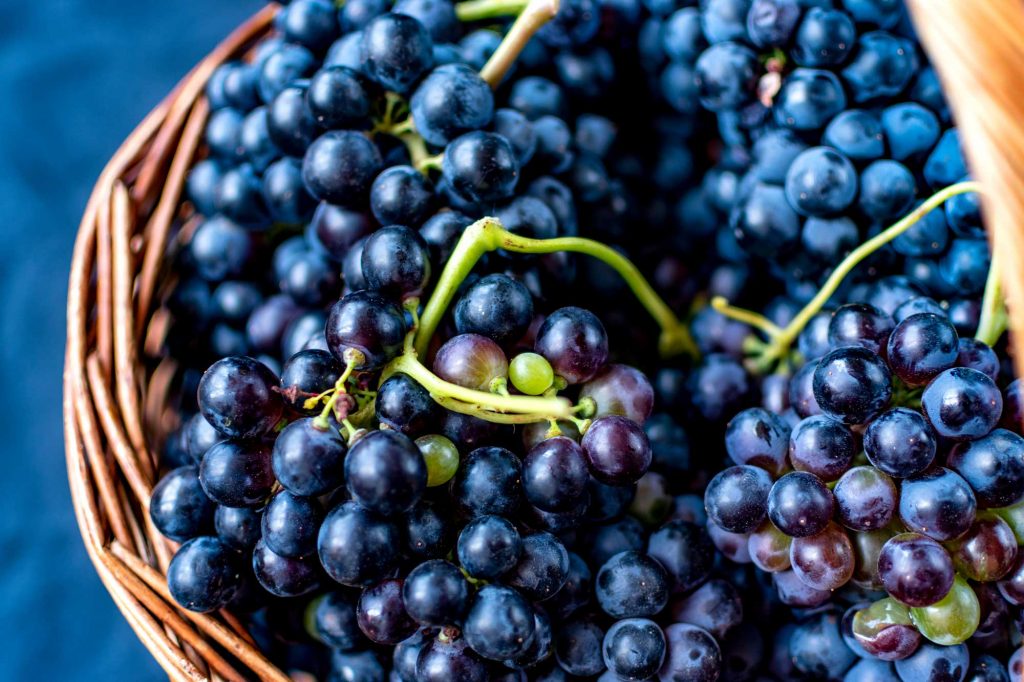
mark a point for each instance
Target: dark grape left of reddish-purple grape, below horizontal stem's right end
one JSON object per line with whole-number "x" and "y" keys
{"x": 554, "y": 475}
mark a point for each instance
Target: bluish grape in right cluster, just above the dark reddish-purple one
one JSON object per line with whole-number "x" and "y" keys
{"x": 938, "y": 503}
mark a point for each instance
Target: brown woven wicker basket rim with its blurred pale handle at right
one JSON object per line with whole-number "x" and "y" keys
{"x": 115, "y": 386}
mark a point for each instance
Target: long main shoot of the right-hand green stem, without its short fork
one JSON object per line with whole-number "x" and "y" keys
{"x": 779, "y": 346}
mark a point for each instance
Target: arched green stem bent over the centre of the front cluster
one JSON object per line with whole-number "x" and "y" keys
{"x": 488, "y": 235}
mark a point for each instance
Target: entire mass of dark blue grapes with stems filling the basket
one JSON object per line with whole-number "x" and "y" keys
{"x": 418, "y": 441}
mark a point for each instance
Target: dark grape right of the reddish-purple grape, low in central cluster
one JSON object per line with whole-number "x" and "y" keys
{"x": 436, "y": 593}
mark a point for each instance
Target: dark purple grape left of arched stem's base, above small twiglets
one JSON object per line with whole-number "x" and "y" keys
{"x": 368, "y": 323}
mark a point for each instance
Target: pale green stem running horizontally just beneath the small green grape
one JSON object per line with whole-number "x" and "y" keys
{"x": 538, "y": 409}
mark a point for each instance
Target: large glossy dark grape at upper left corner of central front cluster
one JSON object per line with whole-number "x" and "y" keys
{"x": 237, "y": 396}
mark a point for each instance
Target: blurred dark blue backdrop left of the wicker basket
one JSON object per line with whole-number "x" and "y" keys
{"x": 76, "y": 76}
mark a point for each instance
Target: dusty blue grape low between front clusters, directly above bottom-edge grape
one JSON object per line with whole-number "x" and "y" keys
{"x": 631, "y": 585}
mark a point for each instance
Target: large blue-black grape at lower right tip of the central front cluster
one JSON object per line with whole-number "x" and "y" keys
{"x": 500, "y": 624}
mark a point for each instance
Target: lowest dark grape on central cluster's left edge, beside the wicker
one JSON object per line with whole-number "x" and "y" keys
{"x": 203, "y": 575}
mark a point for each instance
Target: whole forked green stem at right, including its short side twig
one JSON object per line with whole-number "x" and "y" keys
{"x": 780, "y": 342}
